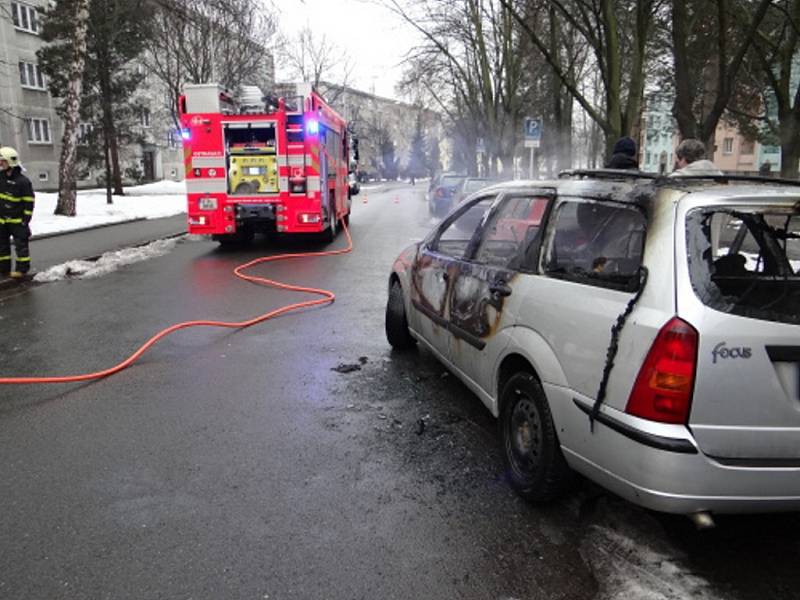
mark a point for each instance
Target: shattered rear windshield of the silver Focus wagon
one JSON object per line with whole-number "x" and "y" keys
{"x": 747, "y": 261}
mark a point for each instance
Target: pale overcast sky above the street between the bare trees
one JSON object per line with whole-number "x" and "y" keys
{"x": 375, "y": 38}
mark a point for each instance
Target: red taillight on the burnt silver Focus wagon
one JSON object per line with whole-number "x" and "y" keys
{"x": 663, "y": 388}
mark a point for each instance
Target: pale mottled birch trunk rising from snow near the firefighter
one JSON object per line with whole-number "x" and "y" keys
{"x": 67, "y": 191}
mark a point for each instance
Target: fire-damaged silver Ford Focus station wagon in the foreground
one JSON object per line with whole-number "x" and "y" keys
{"x": 642, "y": 331}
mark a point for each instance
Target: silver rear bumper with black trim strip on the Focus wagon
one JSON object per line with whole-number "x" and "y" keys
{"x": 663, "y": 469}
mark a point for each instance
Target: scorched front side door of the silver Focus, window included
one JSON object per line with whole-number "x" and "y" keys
{"x": 433, "y": 270}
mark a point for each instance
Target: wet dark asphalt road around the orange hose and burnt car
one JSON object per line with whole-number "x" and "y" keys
{"x": 287, "y": 461}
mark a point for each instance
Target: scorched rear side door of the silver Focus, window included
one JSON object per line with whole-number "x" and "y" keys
{"x": 481, "y": 302}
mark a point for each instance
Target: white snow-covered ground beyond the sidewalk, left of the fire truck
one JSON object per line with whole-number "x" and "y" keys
{"x": 149, "y": 201}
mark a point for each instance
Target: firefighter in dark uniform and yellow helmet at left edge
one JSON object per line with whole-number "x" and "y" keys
{"x": 16, "y": 210}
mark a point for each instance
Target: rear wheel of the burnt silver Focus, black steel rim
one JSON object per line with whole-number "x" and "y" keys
{"x": 535, "y": 466}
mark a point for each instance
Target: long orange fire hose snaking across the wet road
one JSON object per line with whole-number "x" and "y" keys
{"x": 327, "y": 298}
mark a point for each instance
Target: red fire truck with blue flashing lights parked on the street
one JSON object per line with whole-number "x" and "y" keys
{"x": 277, "y": 166}
